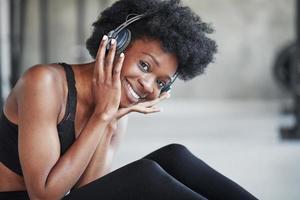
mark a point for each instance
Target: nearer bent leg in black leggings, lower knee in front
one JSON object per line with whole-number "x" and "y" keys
{"x": 142, "y": 179}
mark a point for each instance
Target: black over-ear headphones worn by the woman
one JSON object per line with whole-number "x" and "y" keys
{"x": 122, "y": 35}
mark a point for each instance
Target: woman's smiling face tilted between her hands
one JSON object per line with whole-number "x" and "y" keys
{"x": 146, "y": 68}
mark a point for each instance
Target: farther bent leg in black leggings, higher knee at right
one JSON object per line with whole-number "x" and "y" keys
{"x": 180, "y": 163}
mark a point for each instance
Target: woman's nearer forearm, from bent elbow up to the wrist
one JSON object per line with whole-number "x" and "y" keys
{"x": 66, "y": 172}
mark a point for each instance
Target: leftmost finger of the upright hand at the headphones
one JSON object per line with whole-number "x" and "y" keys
{"x": 98, "y": 69}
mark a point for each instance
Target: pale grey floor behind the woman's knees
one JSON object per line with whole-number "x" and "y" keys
{"x": 238, "y": 138}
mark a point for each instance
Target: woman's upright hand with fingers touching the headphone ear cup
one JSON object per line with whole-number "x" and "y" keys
{"x": 106, "y": 80}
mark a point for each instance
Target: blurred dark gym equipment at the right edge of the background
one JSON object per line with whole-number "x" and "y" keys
{"x": 287, "y": 73}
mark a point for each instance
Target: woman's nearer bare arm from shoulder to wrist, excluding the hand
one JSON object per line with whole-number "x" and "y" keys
{"x": 46, "y": 174}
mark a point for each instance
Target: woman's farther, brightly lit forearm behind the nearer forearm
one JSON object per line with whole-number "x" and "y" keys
{"x": 101, "y": 161}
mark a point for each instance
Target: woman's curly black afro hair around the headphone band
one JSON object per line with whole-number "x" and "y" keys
{"x": 179, "y": 29}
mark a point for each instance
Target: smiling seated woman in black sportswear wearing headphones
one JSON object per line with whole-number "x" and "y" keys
{"x": 61, "y": 124}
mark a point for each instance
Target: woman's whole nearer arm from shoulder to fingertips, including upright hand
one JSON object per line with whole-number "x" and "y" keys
{"x": 46, "y": 174}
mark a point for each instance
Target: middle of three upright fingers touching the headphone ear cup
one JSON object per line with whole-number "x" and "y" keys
{"x": 109, "y": 60}
